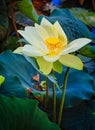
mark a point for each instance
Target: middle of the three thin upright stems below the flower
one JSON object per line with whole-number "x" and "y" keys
{"x": 54, "y": 102}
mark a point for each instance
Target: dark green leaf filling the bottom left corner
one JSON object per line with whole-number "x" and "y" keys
{"x": 23, "y": 114}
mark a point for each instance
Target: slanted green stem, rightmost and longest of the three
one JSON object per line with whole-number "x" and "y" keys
{"x": 63, "y": 96}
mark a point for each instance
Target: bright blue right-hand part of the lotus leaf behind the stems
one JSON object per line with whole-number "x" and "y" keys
{"x": 79, "y": 87}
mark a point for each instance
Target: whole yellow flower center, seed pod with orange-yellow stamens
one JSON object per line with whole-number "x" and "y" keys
{"x": 54, "y": 45}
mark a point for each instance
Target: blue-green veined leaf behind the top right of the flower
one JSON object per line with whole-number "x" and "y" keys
{"x": 73, "y": 27}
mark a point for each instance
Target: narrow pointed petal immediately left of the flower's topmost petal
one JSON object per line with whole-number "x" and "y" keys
{"x": 42, "y": 32}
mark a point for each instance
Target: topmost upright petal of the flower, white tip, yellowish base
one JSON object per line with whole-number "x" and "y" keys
{"x": 49, "y": 28}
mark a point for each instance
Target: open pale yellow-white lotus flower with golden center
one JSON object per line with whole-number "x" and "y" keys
{"x": 48, "y": 43}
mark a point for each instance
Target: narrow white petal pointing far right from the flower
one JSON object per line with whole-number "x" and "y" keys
{"x": 76, "y": 45}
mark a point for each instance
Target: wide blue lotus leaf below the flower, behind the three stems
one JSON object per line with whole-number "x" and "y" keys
{"x": 79, "y": 85}
